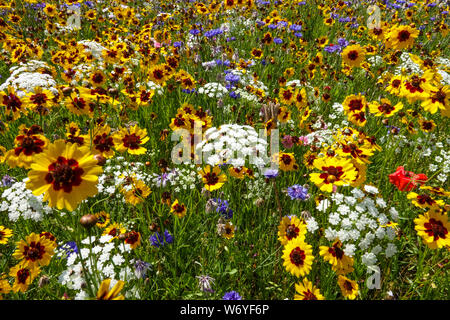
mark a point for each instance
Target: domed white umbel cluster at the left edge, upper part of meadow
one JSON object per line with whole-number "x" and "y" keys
{"x": 25, "y": 78}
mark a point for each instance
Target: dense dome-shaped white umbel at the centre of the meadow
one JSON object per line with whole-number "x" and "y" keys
{"x": 232, "y": 144}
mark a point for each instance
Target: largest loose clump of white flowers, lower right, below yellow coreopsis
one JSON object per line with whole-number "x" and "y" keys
{"x": 363, "y": 223}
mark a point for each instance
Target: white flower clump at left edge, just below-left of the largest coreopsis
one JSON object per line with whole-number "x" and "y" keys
{"x": 20, "y": 202}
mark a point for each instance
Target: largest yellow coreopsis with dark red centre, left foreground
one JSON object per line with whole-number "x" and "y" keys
{"x": 65, "y": 173}
